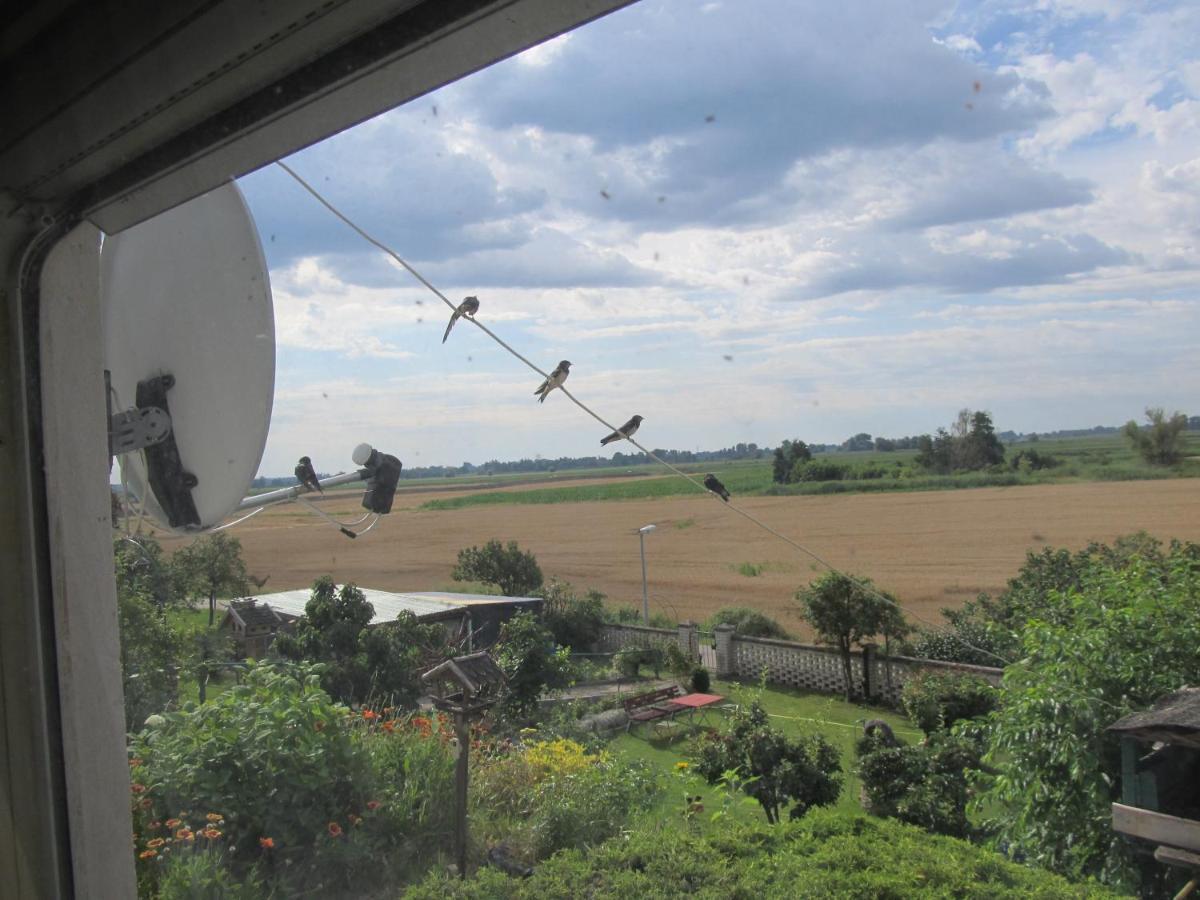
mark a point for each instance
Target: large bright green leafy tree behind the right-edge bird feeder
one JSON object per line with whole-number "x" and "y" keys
{"x": 1115, "y": 643}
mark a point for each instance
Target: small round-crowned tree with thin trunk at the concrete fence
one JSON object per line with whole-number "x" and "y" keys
{"x": 843, "y": 611}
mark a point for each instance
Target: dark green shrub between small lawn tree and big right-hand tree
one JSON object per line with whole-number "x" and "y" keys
{"x": 926, "y": 785}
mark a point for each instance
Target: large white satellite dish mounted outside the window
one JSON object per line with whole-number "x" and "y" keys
{"x": 190, "y": 333}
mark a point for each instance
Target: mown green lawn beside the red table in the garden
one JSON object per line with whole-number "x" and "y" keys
{"x": 793, "y": 712}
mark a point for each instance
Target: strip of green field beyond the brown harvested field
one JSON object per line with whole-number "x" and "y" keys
{"x": 1107, "y": 458}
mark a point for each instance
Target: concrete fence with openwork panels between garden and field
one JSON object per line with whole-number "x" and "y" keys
{"x": 789, "y": 663}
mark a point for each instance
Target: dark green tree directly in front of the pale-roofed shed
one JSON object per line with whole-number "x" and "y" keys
{"x": 382, "y": 663}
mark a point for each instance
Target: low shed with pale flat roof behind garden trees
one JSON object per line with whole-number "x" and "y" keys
{"x": 477, "y": 619}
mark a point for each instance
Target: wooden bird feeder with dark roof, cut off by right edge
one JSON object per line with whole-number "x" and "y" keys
{"x": 1161, "y": 781}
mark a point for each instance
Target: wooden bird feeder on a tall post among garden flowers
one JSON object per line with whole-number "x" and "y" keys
{"x": 465, "y": 687}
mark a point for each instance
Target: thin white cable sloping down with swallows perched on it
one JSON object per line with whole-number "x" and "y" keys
{"x": 699, "y": 485}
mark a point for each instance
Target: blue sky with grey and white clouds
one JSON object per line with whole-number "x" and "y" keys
{"x": 755, "y": 221}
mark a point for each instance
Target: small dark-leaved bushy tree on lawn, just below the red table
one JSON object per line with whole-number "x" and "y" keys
{"x": 776, "y": 771}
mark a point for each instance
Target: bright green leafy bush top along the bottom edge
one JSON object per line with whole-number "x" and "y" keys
{"x": 825, "y": 855}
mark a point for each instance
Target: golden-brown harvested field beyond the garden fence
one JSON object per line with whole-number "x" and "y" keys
{"x": 931, "y": 549}
